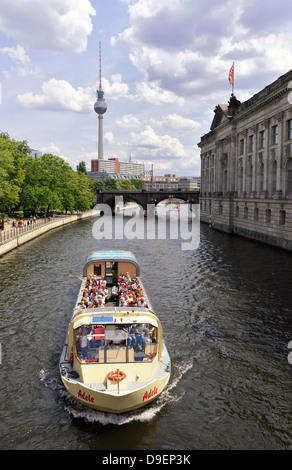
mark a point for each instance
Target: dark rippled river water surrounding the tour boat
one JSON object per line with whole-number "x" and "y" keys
{"x": 226, "y": 312}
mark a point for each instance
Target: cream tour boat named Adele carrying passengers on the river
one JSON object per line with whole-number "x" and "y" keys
{"x": 114, "y": 358}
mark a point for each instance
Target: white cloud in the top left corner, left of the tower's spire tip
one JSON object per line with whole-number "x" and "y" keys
{"x": 55, "y": 25}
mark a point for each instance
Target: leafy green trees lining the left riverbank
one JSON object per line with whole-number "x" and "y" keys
{"x": 43, "y": 184}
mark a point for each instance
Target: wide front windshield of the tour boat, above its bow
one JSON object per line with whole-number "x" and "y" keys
{"x": 116, "y": 344}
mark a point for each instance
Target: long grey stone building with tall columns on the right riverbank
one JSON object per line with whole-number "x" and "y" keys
{"x": 246, "y": 166}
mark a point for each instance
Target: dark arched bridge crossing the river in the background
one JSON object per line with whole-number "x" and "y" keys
{"x": 143, "y": 197}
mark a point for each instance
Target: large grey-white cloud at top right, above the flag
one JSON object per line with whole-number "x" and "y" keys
{"x": 188, "y": 47}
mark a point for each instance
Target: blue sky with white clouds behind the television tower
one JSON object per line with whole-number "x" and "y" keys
{"x": 164, "y": 67}
